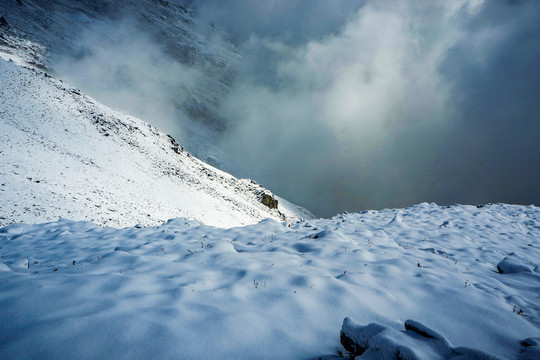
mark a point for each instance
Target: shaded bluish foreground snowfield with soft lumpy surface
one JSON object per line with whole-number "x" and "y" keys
{"x": 276, "y": 290}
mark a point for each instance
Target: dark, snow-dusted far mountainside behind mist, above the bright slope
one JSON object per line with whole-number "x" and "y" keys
{"x": 66, "y": 29}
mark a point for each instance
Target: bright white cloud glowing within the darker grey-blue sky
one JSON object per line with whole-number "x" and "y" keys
{"x": 339, "y": 104}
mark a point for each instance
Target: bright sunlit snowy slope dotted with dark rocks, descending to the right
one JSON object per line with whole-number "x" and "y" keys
{"x": 62, "y": 154}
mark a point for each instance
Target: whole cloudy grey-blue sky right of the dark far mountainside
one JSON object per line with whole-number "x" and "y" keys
{"x": 350, "y": 105}
